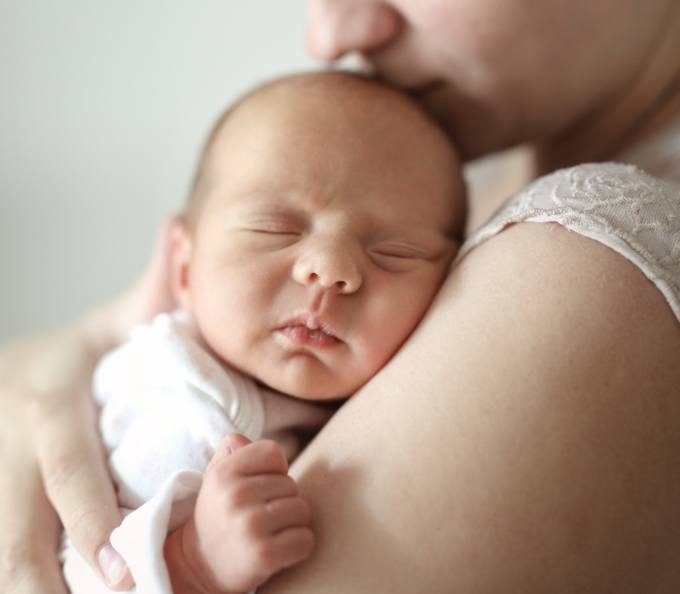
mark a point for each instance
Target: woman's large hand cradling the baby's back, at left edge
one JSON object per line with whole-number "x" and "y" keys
{"x": 48, "y": 436}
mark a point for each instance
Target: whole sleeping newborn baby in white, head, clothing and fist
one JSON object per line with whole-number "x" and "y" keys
{"x": 324, "y": 215}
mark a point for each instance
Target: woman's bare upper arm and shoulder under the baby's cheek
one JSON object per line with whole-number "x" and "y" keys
{"x": 525, "y": 439}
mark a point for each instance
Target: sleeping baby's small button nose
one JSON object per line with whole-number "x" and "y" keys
{"x": 330, "y": 267}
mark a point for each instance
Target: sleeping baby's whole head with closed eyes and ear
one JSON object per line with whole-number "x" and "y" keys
{"x": 324, "y": 216}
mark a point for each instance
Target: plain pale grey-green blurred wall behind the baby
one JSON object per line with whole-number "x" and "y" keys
{"x": 103, "y": 109}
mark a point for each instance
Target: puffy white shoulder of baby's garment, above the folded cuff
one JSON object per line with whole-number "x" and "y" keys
{"x": 166, "y": 403}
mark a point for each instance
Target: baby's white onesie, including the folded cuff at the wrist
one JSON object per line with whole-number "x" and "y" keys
{"x": 166, "y": 403}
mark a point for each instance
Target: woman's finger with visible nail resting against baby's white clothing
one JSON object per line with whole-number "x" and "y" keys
{"x": 79, "y": 487}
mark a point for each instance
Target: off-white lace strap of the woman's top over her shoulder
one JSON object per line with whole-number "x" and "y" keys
{"x": 634, "y": 212}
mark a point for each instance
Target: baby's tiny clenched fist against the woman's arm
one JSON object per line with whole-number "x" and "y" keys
{"x": 249, "y": 521}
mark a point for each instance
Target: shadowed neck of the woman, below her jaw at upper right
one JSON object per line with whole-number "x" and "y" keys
{"x": 652, "y": 100}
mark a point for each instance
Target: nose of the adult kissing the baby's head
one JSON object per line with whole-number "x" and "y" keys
{"x": 336, "y": 27}
